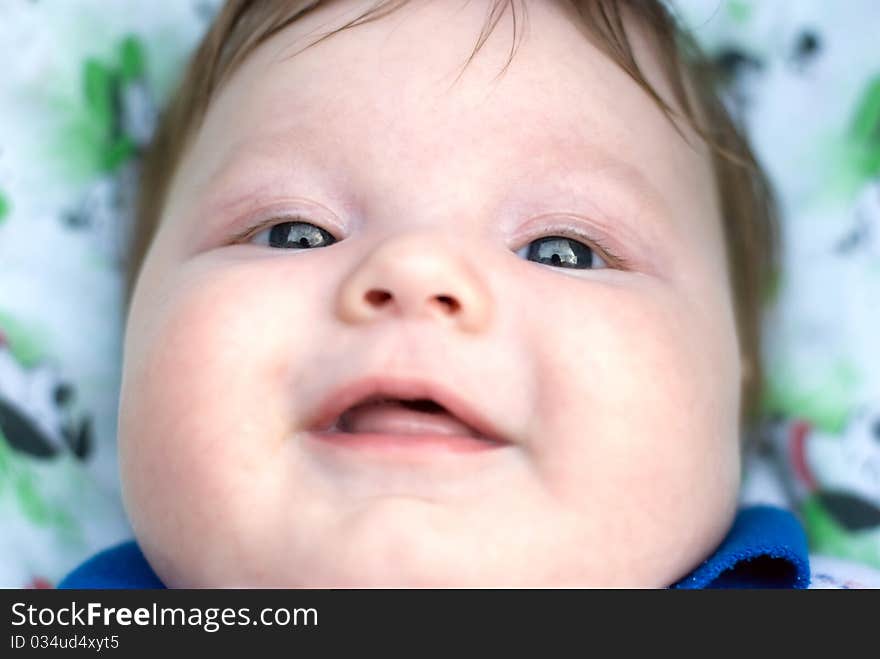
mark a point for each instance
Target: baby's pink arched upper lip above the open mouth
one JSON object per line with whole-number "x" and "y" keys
{"x": 364, "y": 389}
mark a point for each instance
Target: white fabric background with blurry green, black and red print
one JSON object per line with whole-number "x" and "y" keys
{"x": 82, "y": 84}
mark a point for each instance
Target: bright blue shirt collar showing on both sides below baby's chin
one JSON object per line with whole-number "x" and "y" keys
{"x": 765, "y": 548}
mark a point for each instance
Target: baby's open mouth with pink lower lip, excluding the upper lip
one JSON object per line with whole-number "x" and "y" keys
{"x": 396, "y": 424}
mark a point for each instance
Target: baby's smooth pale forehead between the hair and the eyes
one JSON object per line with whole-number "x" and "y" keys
{"x": 384, "y": 99}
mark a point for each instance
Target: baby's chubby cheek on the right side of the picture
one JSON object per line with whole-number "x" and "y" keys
{"x": 640, "y": 400}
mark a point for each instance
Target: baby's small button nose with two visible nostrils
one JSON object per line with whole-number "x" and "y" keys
{"x": 416, "y": 275}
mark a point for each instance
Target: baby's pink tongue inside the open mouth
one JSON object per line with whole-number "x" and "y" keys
{"x": 394, "y": 419}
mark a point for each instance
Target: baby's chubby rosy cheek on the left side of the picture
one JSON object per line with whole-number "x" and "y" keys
{"x": 203, "y": 417}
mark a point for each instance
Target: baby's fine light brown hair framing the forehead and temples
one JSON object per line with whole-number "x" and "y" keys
{"x": 749, "y": 215}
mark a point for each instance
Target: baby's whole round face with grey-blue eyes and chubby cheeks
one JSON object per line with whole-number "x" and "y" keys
{"x": 435, "y": 243}
